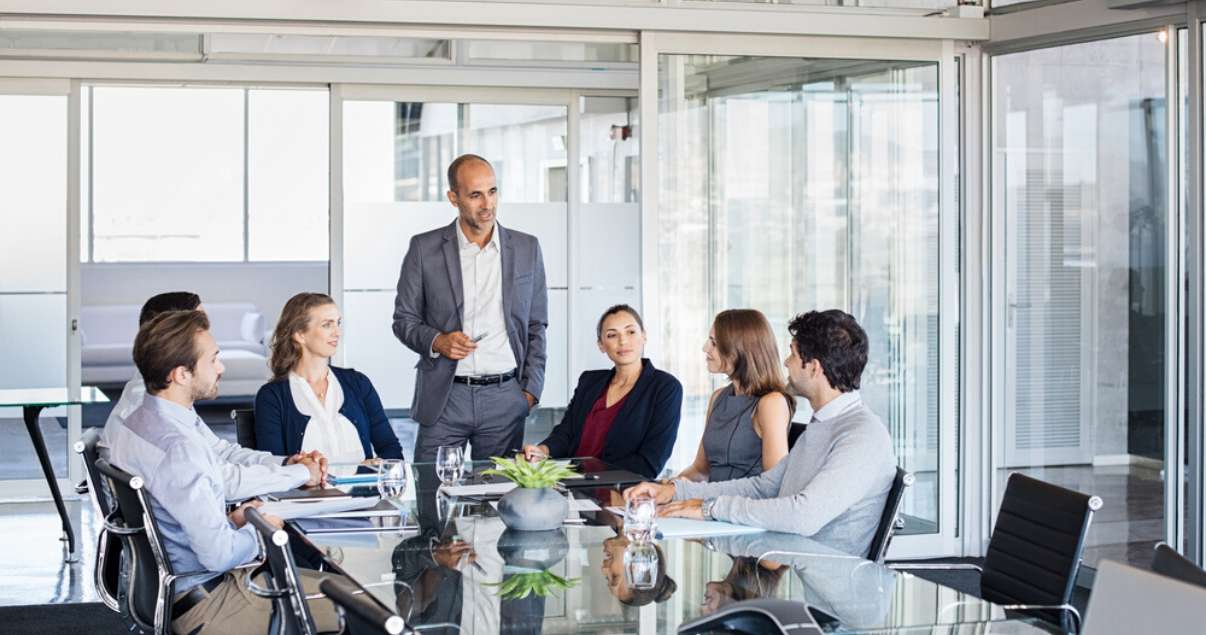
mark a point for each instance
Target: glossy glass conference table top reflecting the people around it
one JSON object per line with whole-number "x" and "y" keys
{"x": 450, "y": 566}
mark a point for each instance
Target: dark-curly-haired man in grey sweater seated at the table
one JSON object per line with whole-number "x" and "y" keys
{"x": 834, "y": 484}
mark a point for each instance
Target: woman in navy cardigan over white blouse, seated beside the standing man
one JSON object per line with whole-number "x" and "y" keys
{"x": 312, "y": 405}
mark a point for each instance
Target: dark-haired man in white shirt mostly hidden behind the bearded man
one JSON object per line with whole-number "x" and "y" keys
{"x": 245, "y": 473}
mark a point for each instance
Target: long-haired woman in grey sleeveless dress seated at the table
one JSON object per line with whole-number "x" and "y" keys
{"x": 748, "y": 420}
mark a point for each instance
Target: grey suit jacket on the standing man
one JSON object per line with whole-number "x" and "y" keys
{"x": 431, "y": 302}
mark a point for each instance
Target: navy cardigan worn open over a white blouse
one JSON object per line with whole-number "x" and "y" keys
{"x": 280, "y": 427}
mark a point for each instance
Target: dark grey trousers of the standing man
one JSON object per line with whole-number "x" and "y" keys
{"x": 489, "y": 418}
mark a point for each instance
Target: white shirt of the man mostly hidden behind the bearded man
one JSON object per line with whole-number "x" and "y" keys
{"x": 245, "y": 473}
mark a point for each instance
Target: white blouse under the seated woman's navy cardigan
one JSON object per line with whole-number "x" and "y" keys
{"x": 329, "y": 432}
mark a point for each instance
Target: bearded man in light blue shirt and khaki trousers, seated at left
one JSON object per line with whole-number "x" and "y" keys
{"x": 163, "y": 443}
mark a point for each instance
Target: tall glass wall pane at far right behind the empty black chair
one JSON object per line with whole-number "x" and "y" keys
{"x": 1081, "y": 177}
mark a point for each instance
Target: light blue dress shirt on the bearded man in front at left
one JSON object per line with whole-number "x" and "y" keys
{"x": 165, "y": 444}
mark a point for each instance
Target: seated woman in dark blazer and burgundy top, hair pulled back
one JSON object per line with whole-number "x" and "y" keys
{"x": 628, "y": 416}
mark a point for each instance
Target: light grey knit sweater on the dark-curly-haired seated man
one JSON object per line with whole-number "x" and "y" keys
{"x": 832, "y": 486}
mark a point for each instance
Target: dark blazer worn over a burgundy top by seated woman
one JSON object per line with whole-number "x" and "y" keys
{"x": 645, "y": 431}
